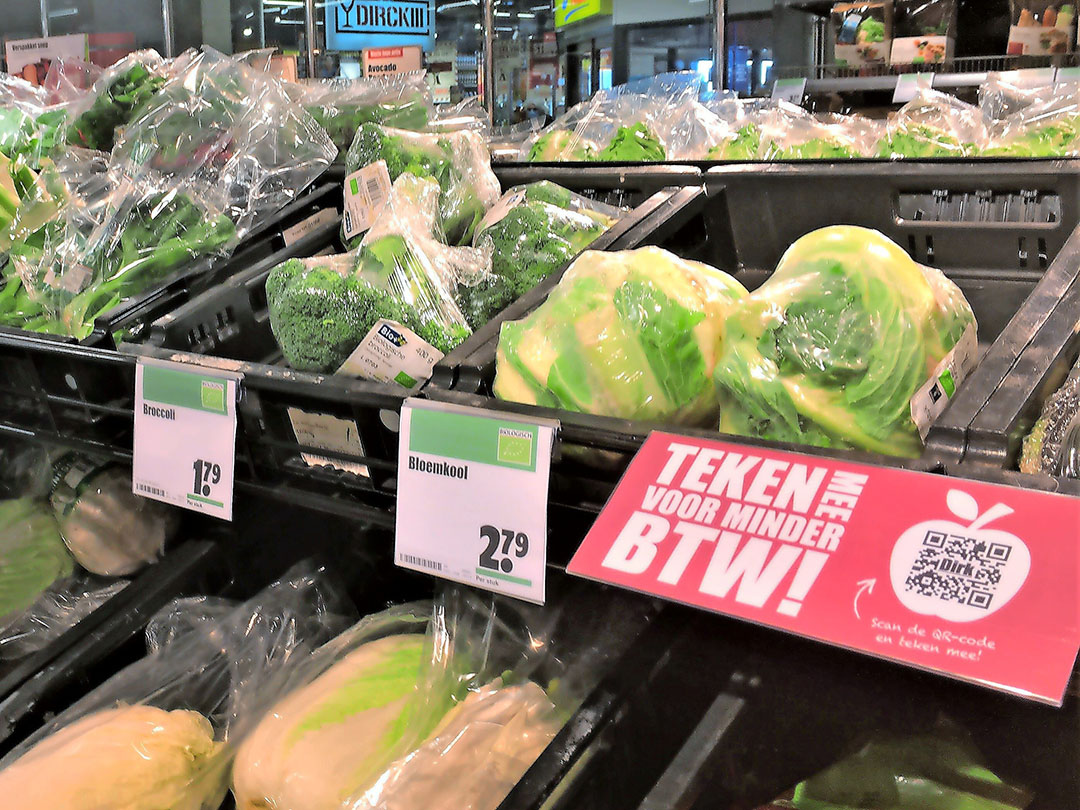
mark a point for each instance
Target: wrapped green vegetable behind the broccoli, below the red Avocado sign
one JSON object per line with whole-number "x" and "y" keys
{"x": 344, "y": 106}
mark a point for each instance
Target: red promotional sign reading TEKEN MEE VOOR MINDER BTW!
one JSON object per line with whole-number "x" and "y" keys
{"x": 965, "y": 578}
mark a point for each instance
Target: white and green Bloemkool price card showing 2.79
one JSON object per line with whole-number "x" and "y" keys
{"x": 472, "y": 497}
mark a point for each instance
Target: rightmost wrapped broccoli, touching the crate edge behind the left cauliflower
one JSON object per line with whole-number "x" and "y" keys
{"x": 533, "y": 231}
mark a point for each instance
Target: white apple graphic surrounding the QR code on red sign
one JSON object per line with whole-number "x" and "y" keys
{"x": 906, "y": 551}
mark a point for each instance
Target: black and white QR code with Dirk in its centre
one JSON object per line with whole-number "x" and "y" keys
{"x": 956, "y": 569}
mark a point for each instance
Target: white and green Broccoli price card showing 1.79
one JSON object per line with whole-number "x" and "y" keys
{"x": 185, "y": 436}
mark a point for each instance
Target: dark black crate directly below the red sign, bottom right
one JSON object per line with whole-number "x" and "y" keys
{"x": 809, "y": 706}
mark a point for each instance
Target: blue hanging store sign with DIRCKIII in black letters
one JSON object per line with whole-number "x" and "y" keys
{"x": 354, "y": 25}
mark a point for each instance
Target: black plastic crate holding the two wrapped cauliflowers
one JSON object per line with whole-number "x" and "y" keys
{"x": 996, "y": 234}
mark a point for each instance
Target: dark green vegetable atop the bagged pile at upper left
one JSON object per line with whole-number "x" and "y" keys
{"x": 116, "y": 97}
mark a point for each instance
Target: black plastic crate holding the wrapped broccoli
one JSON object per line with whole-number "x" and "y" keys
{"x": 231, "y": 325}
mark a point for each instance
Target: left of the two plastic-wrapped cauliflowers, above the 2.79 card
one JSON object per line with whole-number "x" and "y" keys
{"x": 633, "y": 334}
